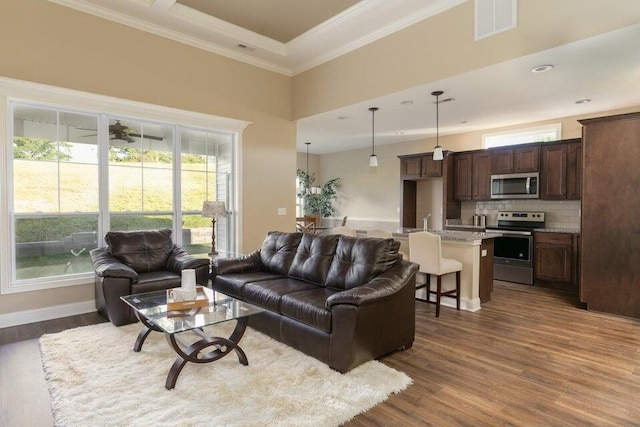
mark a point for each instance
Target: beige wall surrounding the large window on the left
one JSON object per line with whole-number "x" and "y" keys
{"x": 47, "y": 43}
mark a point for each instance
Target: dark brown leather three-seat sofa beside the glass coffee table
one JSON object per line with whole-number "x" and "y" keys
{"x": 342, "y": 300}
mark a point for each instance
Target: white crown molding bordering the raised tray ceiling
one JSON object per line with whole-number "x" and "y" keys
{"x": 355, "y": 27}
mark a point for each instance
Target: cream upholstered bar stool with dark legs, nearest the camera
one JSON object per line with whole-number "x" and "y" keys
{"x": 426, "y": 249}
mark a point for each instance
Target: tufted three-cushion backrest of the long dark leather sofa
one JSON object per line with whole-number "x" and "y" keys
{"x": 335, "y": 261}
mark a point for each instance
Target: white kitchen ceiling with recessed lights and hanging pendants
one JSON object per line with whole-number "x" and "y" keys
{"x": 605, "y": 69}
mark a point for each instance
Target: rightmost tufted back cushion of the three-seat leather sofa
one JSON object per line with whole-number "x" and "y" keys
{"x": 358, "y": 260}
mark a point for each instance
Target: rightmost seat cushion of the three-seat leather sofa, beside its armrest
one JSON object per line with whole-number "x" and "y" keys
{"x": 309, "y": 307}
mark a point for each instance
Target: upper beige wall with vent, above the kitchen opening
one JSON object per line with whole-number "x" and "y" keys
{"x": 443, "y": 46}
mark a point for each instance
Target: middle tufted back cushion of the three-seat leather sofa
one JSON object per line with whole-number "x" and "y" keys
{"x": 313, "y": 258}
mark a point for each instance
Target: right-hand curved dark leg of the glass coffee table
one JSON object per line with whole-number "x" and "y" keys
{"x": 194, "y": 352}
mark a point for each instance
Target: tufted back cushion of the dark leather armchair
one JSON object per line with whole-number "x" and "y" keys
{"x": 144, "y": 251}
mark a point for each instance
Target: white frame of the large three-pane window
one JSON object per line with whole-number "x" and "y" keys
{"x": 42, "y": 96}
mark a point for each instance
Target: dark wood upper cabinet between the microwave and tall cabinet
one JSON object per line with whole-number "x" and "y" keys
{"x": 561, "y": 171}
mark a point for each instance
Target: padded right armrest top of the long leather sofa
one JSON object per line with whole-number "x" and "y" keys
{"x": 380, "y": 287}
